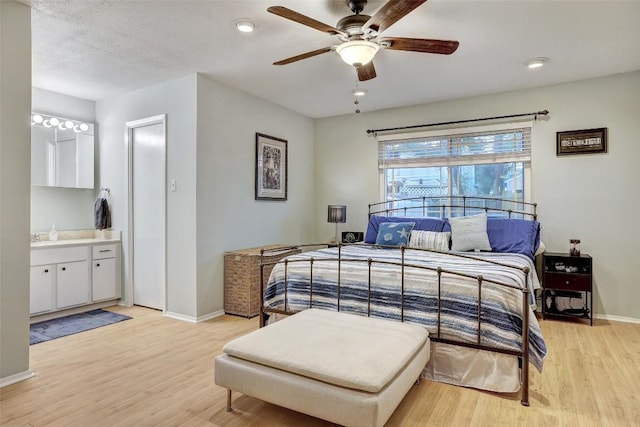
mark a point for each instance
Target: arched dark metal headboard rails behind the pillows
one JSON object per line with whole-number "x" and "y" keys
{"x": 452, "y": 206}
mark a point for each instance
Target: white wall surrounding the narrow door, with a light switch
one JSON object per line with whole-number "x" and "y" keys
{"x": 177, "y": 99}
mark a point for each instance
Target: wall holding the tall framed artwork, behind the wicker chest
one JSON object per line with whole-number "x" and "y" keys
{"x": 228, "y": 216}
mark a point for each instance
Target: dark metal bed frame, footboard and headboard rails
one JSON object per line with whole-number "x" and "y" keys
{"x": 527, "y": 209}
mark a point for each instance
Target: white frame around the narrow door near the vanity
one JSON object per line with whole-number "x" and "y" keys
{"x": 131, "y": 126}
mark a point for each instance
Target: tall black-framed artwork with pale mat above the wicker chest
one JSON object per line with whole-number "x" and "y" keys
{"x": 271, "y": 168}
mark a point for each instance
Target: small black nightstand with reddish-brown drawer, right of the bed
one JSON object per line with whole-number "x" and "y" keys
{"x": 567, "y": 286}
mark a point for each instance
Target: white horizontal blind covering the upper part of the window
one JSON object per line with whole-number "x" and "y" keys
{"x": 455, "y": 147}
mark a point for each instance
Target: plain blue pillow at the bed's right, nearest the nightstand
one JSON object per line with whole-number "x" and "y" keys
{"x": 514, "y": 235}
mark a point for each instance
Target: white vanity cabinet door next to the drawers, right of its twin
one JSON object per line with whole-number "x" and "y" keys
{"x": 73, "y": 284}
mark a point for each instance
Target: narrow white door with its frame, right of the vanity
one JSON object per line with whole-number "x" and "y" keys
{"x": 146, "y": 142}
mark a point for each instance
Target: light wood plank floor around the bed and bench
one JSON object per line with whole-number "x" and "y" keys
{"x": 156, "y": 371}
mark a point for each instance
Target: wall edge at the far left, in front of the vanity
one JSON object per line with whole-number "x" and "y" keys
{"x": 15, "y": 149}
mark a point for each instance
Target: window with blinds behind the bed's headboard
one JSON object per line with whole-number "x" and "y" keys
{"x": 489, "y": 161}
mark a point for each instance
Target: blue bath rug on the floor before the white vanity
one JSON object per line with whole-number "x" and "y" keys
{"x": 69, "y": 325}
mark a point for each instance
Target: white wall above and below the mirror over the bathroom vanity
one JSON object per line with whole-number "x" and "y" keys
{"x": 68, "y": 208}
